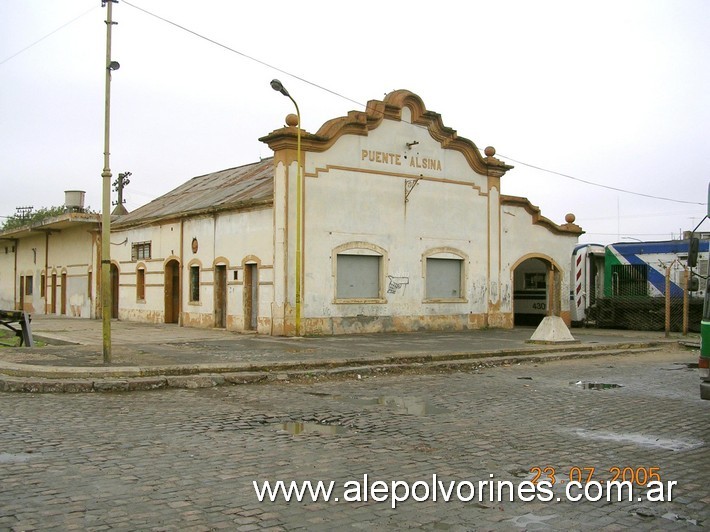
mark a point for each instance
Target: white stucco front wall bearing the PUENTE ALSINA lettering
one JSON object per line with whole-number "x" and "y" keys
{"x": 351, "y": 198}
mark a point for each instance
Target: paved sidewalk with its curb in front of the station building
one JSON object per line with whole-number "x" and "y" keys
{"x": 148, "y": 356}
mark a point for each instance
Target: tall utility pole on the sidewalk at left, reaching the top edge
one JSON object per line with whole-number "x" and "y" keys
{"x": 106, "y": 203}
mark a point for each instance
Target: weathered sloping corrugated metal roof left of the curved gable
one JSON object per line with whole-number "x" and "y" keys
{"x": 232, "y": 188}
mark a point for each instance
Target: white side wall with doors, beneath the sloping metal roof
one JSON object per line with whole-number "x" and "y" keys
{"x": 229, "y": 239}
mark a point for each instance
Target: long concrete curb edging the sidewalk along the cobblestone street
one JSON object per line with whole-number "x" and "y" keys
{"x": 58, "y": 379}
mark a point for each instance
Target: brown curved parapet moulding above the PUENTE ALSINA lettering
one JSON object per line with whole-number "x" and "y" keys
{"x": 362, "y": 122}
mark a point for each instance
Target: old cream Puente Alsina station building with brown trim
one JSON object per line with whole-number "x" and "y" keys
{"x": 392, "y": 222}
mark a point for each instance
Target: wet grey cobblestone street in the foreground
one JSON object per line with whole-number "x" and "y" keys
{"x": 187, "y": 459}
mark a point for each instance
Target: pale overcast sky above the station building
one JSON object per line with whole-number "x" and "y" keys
{"x": 613, "y": 92}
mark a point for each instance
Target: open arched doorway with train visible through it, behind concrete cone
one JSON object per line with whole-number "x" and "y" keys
{"x": 531, "y": 294}
